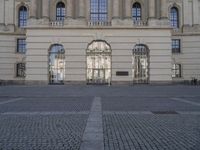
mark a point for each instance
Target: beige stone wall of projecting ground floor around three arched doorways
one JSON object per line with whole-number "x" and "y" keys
{"x": 75, "y": 42}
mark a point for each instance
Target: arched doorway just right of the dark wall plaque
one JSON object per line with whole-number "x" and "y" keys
{"x": 140, "y": 64}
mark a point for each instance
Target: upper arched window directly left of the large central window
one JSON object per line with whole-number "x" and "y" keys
{"x": 60, "y": 11}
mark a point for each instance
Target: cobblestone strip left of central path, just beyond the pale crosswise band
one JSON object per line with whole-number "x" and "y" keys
{"x": 49, "y": 104}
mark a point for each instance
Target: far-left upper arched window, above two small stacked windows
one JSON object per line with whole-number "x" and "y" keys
{"x": 23, "y": 15}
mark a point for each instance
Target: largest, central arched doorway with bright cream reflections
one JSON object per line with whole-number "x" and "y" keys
{"x": 98, "y": 62}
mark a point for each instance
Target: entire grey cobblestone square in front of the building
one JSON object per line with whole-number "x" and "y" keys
{"x": 121, "y": 118}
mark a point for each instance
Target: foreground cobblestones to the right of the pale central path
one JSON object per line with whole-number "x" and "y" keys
{"x": 151, "y": 132}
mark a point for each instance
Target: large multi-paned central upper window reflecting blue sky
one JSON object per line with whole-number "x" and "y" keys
{"x": 98, "y": 10}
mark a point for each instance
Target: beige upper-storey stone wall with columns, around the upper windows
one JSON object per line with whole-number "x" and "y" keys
{"x": 189, "y": 9}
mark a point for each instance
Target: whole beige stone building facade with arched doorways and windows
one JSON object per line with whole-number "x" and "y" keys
{"x": 99, "y": 41}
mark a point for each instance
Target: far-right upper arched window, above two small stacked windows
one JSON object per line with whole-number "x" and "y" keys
{"x": 174, "y": 17}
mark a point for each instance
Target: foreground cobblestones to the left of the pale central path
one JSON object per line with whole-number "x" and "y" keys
{"x": 49, "y": 132}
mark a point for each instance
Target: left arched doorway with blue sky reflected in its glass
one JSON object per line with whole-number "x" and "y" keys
{"x": 56, "y": 64}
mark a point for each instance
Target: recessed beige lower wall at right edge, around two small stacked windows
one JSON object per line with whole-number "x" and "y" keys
{"x": 189, "y": 57}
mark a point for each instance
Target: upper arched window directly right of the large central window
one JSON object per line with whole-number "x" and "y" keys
{"x": 136, "y": 12}
